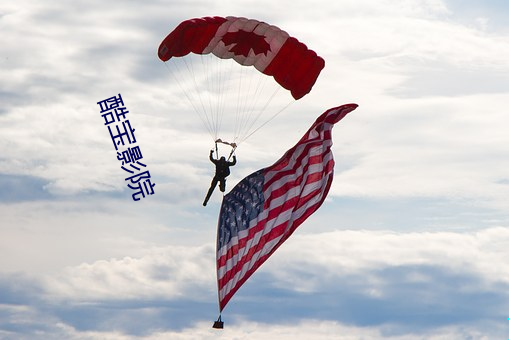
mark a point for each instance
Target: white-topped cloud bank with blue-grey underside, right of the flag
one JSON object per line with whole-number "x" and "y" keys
{"x": 412, "y": 281}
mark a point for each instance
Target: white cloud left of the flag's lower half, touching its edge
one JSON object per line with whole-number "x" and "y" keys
{"x": 162, "y": 273}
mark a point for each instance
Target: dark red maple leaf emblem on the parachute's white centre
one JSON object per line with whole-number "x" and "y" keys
{"x": 246, "y": 41}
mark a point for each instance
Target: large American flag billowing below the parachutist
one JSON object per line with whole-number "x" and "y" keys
{"x": 266, "y": 207}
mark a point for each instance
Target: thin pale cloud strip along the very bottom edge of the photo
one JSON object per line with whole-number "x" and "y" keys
{"x": 307, "y": 329}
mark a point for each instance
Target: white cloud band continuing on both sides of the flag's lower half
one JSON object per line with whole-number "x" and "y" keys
{"x": 307, "y": 263}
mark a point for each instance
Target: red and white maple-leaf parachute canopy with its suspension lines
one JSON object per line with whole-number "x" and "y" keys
{"x": 199, "y": 54}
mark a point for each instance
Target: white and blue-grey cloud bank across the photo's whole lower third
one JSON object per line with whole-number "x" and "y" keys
{"x": 377, "y": 283}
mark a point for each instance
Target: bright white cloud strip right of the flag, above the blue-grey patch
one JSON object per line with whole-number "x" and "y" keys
{"x": 339, "y": 253}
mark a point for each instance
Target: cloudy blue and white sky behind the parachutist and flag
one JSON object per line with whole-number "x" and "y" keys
{"x": 411, "y": 243}
